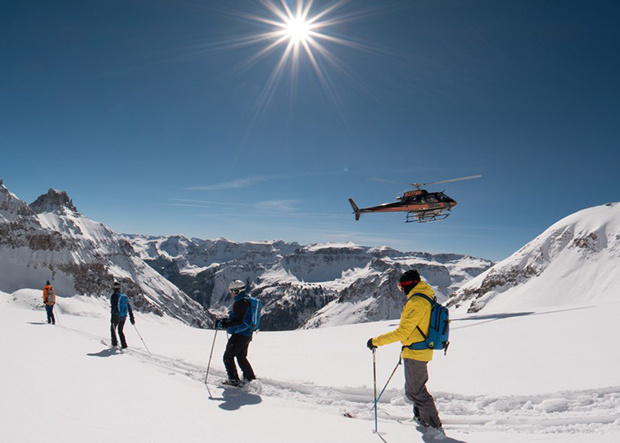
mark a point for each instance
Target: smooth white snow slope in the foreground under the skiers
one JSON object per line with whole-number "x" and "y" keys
{"x": 60, "y": 383}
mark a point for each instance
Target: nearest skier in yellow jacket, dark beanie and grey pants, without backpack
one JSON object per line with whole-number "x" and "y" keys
{"x": 415, "y": 319}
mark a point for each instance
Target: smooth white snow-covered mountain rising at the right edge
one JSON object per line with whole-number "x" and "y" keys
{"x": 577, "y": 259}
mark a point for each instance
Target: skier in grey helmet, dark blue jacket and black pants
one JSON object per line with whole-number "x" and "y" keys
{"x": 238, "y": 325}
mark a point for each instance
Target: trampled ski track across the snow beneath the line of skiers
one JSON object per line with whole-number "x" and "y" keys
{"x": 595, "y": 411}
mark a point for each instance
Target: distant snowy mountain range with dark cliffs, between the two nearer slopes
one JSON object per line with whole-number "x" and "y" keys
{"x": 302, "y": 286}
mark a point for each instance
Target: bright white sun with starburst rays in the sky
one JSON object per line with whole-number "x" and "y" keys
{"x": 295, "y": 35}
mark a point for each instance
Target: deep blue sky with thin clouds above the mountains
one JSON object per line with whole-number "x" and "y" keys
{"x": 156, "y": 119}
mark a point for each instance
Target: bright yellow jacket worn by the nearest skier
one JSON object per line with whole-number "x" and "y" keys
{"x": 417, "y": 312}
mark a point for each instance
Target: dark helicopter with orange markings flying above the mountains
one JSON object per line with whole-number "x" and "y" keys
{"x": 420, "y": 205}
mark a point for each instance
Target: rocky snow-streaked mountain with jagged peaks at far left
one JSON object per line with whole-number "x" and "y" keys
{"x": 50, "y": 240}
